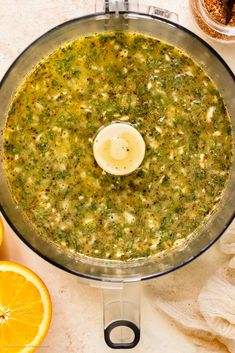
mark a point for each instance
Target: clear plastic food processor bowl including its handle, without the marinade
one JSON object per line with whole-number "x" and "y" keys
{"x": 119, "y": 280}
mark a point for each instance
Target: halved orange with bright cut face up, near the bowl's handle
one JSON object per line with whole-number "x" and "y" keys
{"x": 25, "y": 309}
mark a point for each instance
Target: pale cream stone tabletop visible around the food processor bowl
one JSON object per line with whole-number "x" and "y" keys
{"x": 77, "y": 324}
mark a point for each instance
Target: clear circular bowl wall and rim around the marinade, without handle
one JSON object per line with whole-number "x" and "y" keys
{"x": 119, "y": 16}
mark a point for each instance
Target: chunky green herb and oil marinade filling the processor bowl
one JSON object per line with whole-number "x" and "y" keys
{"x": 87, "y": 84}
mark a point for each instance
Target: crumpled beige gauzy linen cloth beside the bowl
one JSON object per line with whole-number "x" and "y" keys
{"x": 200, "y": 297}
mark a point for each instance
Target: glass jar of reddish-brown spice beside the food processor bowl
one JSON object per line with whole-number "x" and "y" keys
{"x": 210, "y": 17}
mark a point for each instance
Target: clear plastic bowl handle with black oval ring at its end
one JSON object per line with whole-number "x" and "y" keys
{"x": 121, "y": 305}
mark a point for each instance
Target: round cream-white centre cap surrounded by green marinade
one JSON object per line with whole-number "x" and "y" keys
{"x": 119, "y": 148}
